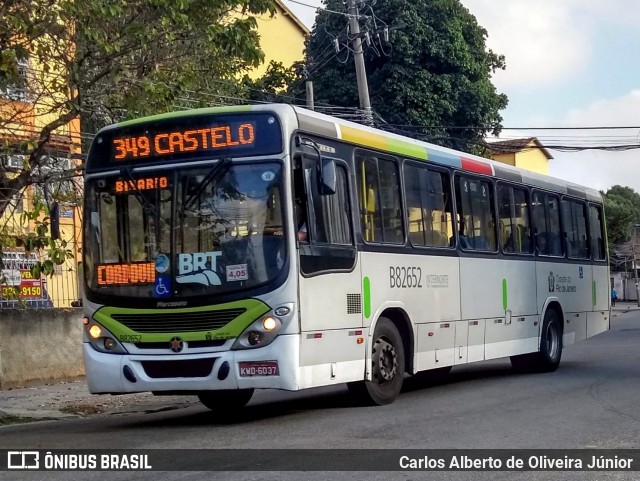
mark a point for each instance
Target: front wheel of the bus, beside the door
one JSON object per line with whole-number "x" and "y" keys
{"x": 387, "y": 367}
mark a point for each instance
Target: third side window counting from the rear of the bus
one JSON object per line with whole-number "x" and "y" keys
{"x": 546, "y": 224}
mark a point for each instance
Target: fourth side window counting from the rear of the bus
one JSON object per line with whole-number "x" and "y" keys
{"x": 513, "y": 220}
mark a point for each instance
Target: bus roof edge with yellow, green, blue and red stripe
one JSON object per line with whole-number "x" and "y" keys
{"x": 351, "y": 132}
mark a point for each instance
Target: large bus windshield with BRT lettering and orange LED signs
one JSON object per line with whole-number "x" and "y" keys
{"x": 185, "y": 233}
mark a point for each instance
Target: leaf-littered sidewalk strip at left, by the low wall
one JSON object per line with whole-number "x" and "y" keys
{"x": 71, "y": 399}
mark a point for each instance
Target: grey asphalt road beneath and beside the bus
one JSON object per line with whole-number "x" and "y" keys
{"x": 592, "y": 401}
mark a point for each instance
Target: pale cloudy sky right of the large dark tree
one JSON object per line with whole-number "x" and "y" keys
{"x": 570, "y": 63}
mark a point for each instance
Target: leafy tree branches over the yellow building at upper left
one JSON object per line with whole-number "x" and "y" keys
{"x": 108, "y": 60}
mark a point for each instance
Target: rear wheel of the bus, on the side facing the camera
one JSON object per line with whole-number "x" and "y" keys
{"x": 548, "y": 357}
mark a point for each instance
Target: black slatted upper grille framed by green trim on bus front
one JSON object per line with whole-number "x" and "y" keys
{"x": 178, "y": 321}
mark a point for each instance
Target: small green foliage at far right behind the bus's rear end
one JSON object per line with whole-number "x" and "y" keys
{"x": 622, "y": 211}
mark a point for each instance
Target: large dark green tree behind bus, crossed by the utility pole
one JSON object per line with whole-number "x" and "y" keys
{"x": 435, "y": 71}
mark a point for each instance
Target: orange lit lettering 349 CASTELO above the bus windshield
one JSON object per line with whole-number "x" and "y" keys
{"x": 182, "y": 141}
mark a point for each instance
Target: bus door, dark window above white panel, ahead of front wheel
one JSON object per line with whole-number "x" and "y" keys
{"x": 329, "y": 278}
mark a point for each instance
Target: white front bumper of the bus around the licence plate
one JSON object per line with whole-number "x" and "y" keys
{"x": 129, "y": 373}
